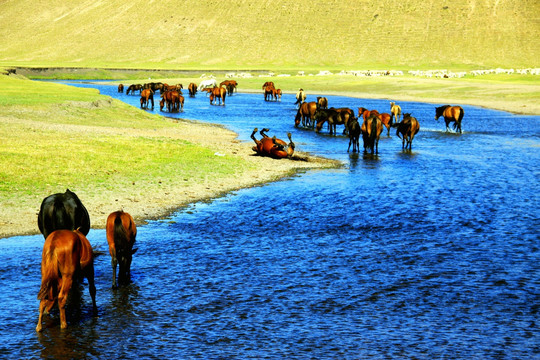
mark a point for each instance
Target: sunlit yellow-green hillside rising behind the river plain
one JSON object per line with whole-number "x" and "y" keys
{"x": 277, "y": 34}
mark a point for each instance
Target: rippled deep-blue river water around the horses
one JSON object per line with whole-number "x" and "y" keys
{"x": 430, "y": 254}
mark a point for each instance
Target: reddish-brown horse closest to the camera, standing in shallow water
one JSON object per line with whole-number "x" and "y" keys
{"x": 67, "y": 256}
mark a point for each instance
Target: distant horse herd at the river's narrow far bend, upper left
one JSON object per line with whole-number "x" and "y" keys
{"x": 171, "y": 95}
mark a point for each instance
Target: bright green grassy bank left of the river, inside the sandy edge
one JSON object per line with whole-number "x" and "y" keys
{"x": 56, "y": 137}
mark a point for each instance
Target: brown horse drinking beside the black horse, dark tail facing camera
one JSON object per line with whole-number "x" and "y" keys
{"x": 121, "y": 232}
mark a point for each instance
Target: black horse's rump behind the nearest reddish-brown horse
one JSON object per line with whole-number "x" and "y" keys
{"x": 63, "y": 211}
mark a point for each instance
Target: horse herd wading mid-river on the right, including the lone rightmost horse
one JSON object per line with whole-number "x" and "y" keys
{"x": 314, "y": 114}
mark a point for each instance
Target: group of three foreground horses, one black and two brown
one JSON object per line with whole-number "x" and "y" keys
{"x": 67, "y": 255}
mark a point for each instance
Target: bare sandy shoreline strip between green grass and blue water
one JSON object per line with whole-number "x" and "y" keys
{"x": 161, "y": 200}
